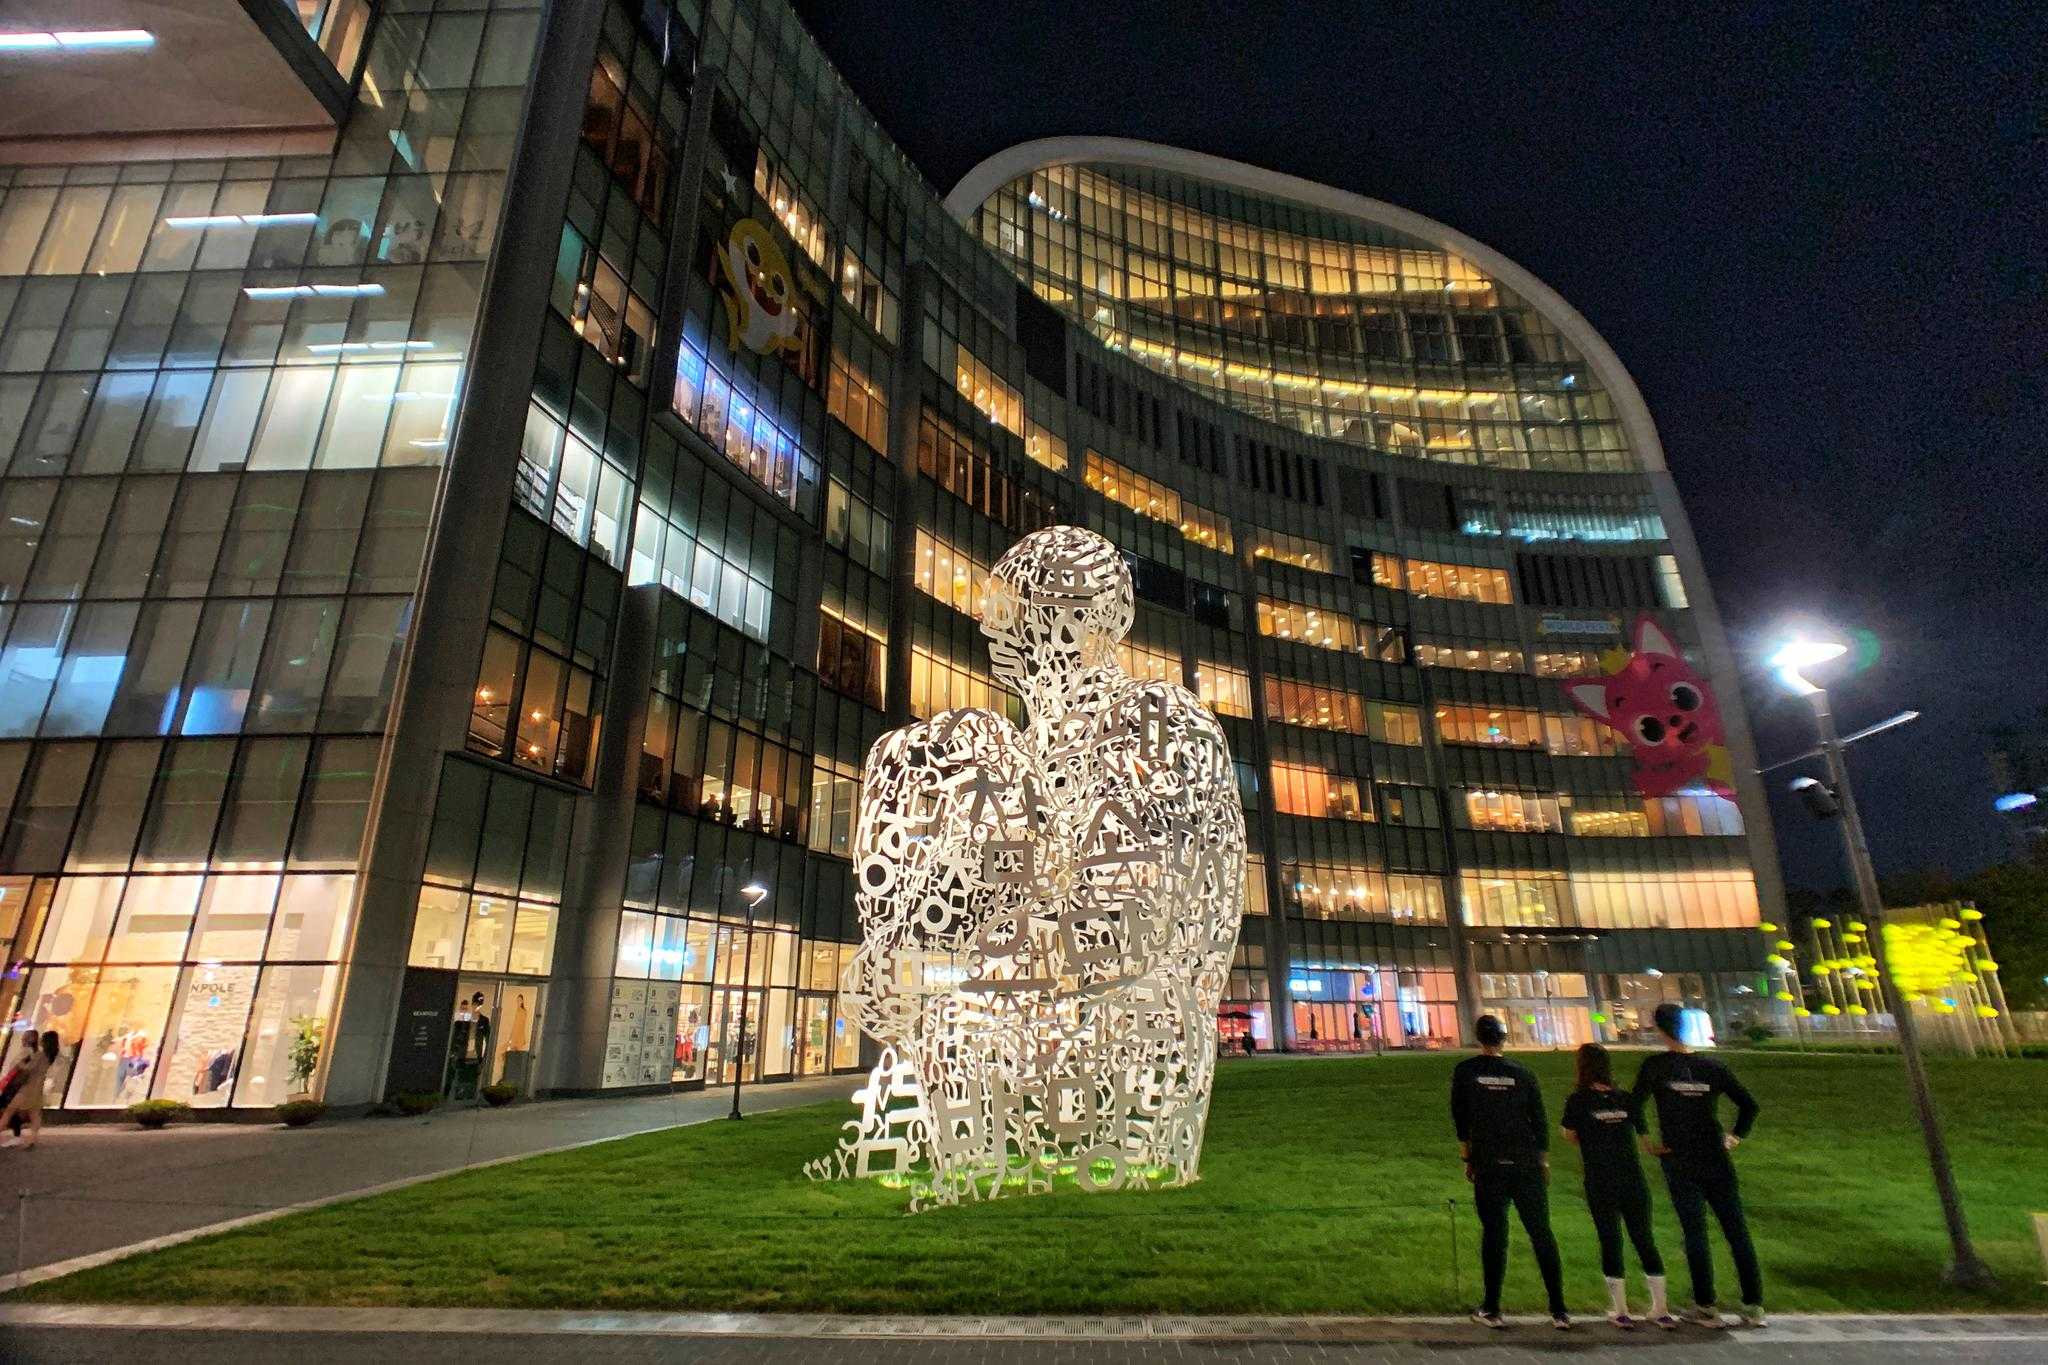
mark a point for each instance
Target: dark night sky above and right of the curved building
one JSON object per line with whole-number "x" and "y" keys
{"x": 1816, "y": 238}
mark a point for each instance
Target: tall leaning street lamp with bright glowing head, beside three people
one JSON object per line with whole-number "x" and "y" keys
{"x": 1967, "y": 1268}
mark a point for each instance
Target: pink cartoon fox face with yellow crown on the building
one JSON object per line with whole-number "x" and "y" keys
{"x": 1666, "y": 711}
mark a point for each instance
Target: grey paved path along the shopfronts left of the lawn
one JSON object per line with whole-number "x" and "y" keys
{"x": 99, "y": 1188}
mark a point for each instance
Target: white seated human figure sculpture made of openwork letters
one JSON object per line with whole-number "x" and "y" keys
{"x": 1050, "y": 914}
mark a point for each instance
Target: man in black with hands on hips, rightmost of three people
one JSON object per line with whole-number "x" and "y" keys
{"x": 1695, "y": 1153}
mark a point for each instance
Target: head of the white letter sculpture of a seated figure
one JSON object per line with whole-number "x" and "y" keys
{"x": 1060, "y": 603}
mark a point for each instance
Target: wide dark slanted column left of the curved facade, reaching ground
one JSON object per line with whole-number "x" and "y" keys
{"x": 439, "y": 664}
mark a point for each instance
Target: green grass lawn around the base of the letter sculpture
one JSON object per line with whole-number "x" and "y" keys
{"x": 1326, "y": 1188}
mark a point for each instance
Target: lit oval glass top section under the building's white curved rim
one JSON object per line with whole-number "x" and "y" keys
{"x": 1320, "y": 322}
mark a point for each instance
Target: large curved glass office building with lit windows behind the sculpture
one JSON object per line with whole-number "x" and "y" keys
{"x": 476, "y": 476}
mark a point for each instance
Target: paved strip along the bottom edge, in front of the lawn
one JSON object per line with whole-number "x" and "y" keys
{"x": 146, "y": 1335}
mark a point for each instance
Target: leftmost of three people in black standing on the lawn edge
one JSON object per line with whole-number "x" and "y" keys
{"x": 1506, "y": 1141}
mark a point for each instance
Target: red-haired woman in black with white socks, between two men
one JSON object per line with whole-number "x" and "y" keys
{"x": 1605, "y": 1125}
